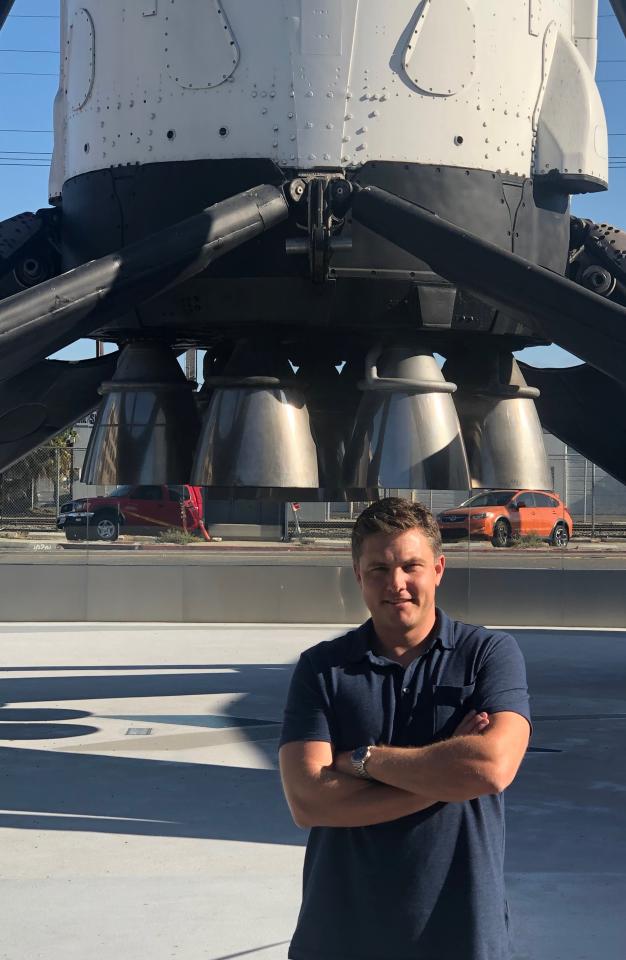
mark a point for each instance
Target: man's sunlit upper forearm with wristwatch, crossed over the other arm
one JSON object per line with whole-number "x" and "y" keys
{"x": 453, "y": 770}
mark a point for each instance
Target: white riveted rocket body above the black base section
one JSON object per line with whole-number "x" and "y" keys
{"x": 498, "y": 85}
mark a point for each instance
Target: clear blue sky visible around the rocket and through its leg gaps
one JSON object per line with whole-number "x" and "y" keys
{"x": 29, "y": 46}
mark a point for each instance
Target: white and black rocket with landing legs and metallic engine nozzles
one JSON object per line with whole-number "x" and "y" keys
{"x": 416, "y": 184}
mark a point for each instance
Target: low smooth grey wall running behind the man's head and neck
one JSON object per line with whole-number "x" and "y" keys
{"x": 88, "y": 590}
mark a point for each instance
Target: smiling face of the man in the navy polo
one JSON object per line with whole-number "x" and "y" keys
{"x": 398, "y": 575}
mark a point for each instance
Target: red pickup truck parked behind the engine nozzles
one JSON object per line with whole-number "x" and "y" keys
{"x": 133, "y": 509}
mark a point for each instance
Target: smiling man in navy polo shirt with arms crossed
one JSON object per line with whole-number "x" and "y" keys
{"x": 399, "y": 738}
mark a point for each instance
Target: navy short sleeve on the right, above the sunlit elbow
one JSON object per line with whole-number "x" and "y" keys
{"x": 501, "y": 682}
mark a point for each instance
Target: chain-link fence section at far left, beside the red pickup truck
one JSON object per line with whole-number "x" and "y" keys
{"x": 34, "y": 489}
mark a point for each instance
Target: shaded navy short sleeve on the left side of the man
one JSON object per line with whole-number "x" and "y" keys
{"x": 306, "y": 714}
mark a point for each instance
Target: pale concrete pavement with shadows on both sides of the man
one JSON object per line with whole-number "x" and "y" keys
{"x": 141, "y": 812}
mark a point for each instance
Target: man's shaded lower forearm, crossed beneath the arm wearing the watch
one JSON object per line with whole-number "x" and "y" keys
{"x": 339, "y": 800}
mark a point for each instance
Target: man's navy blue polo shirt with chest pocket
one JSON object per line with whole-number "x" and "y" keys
{"x": 428, "y": 886}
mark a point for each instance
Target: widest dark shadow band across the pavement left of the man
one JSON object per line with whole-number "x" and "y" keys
{"x": 51, "y": 790}
